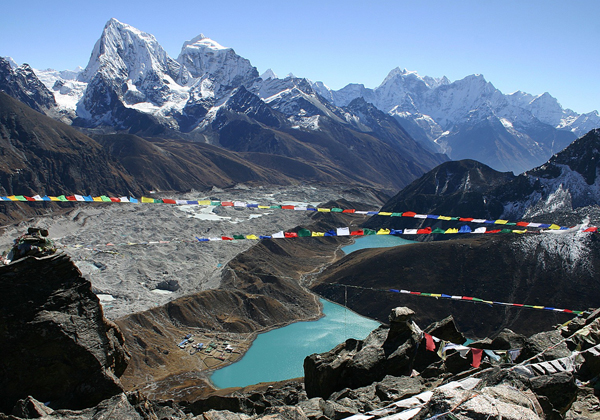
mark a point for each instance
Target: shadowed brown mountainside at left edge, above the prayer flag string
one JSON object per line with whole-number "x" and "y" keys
{"x": 44, "y": 156}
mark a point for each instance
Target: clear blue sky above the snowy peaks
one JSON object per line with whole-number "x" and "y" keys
{"x": 535, "y": 46}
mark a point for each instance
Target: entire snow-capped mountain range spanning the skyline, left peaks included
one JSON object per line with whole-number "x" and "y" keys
{"x": 131, "y": 84}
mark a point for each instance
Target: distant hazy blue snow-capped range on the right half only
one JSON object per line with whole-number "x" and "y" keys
{"x": 470, "y": 118}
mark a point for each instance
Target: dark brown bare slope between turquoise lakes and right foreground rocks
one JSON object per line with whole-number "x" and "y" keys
{"x": 547, "y": 270}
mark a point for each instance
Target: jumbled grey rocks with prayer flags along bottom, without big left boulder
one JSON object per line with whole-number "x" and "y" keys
{"x": 493, "y": 390}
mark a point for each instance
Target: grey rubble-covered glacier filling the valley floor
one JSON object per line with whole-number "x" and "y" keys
{"x": 132, "y": 277}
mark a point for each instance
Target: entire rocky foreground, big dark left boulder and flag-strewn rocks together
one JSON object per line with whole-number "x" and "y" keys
{"x": 60, "y": 359}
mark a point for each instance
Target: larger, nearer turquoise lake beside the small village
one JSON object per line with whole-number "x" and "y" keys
{"x": 279, "y": 354}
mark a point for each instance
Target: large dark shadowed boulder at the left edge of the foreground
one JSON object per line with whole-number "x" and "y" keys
{"x": 55, "y": 344}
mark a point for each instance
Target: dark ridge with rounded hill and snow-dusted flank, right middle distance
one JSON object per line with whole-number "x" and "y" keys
{"x": 567, "y": 182}
